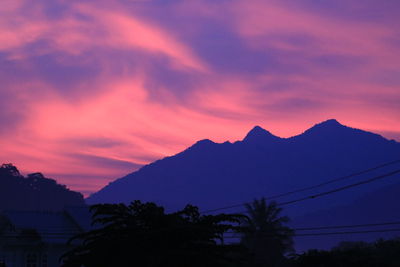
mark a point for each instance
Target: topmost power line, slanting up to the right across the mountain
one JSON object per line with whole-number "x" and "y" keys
{"x": 309, "y": 187}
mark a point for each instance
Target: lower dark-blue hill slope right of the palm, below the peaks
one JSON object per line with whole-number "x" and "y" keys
{"x": 379, "y": 206}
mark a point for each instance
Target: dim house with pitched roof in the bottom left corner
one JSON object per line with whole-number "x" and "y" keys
{"x": 37, "y": 238}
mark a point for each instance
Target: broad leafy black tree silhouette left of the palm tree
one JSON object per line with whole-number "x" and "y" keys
{"x": 142, "y": 234}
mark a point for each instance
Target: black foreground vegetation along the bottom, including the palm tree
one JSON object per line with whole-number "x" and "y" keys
{"x": 143, "y": 234}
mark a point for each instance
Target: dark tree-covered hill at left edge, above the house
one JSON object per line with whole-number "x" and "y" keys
{"x": 34, "y": 192}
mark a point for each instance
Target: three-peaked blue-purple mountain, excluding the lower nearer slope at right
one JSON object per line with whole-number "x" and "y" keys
{"x": 213, "y": 175}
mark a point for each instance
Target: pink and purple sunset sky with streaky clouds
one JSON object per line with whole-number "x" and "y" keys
{"x": 91, "y": 90}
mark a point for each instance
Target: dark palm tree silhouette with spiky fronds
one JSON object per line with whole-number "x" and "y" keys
{"x": 266, "y": 236}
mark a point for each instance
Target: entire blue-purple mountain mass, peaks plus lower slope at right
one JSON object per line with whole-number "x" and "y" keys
{"x": 212, "y": 175}
